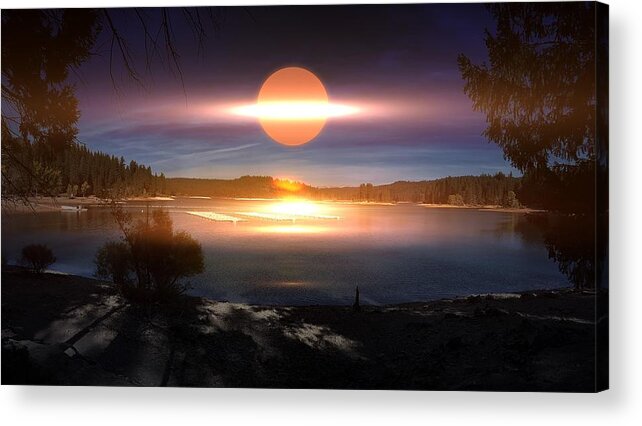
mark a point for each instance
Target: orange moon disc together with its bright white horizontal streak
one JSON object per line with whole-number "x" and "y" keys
{"x": 293, "y": 106}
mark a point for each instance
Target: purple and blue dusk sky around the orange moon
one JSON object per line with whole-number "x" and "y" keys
{"x": 397, "y": 64}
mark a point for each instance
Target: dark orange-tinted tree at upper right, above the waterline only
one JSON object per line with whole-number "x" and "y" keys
{"x": 539, "y": 96}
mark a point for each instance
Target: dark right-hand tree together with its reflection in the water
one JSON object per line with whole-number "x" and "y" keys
{"x": 539, "y": 93}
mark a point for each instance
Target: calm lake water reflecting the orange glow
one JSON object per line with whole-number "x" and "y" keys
{"x": 394, "y": 253}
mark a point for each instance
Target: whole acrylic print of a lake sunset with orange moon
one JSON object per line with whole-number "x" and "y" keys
{"x": 358, "y": 196}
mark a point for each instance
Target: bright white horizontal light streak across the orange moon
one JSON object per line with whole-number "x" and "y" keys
{"x": 294, "y": 110}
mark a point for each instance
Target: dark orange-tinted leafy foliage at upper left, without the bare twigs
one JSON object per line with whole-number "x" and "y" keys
{"x": 38, "y": 50}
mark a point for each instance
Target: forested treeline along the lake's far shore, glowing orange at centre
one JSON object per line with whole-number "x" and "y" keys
{"x": 78, "y": 171}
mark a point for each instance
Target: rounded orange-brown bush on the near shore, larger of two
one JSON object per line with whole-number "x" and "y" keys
{"x": 152, "y": 260}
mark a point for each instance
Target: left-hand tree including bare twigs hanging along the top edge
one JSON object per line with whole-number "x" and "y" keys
{"x": 39, "y": 107}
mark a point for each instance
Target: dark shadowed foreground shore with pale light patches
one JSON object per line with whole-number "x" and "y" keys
{"x": 68, "y": 330}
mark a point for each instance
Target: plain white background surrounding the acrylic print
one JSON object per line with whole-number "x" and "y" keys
{"x": 620, "y": 405}
